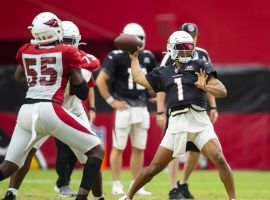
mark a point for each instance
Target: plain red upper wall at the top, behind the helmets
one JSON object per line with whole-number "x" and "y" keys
{"x": 232, "y": 31}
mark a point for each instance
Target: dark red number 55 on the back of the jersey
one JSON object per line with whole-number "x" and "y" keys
{"x": 41, "y": 68}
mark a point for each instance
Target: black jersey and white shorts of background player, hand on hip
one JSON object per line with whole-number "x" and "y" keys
{"x": 134, "y": 120}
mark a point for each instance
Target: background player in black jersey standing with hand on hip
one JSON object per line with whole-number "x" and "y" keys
{"x": 129, "y": 102}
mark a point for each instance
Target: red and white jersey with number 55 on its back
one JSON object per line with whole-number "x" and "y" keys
{"x": 47, "y": 69}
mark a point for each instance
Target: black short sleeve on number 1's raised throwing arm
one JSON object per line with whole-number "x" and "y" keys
{"x": 154, "y": 79}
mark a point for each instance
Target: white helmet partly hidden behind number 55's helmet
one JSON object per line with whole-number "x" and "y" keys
{"x": 71, "y": 31}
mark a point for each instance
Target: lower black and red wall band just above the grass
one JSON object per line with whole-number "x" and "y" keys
{"x": 243, "y": 126}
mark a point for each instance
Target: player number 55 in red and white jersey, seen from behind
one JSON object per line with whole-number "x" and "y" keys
{"x": 47, "y": 67}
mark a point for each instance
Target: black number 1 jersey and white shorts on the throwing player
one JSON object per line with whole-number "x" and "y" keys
{"x": 188, "y": 120}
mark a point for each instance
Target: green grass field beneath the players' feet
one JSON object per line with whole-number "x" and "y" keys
{"x": 205, "y": 185}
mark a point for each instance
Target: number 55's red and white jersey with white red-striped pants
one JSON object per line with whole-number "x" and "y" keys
{"x": 47, "y": 70}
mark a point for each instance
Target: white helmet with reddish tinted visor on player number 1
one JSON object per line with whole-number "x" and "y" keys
{"x": 181, "y": 41}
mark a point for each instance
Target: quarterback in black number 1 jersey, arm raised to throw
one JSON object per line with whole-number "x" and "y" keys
{"x": 186, "y": 83}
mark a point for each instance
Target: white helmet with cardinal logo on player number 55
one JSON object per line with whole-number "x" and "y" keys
{"x": 46, "y": 28}
